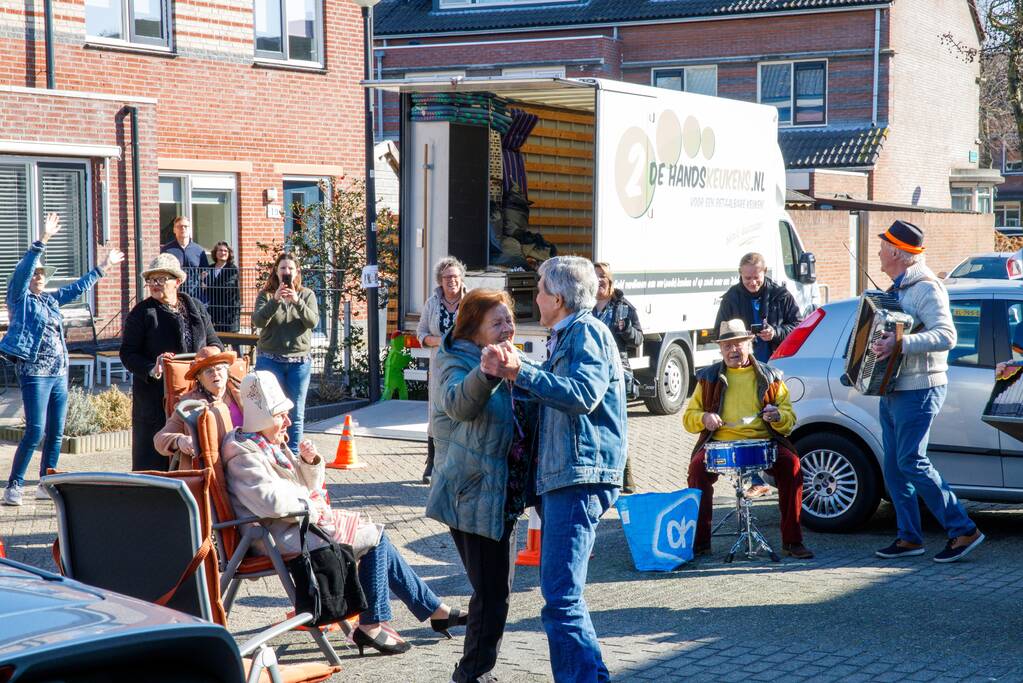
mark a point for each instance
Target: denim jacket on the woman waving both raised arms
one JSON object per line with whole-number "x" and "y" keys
{"x": 27, "y": 315}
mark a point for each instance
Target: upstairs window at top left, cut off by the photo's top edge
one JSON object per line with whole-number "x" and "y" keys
{"x": 140, "y": 22}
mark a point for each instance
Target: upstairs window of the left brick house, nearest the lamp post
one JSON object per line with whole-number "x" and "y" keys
{"x": 290, "y": 30}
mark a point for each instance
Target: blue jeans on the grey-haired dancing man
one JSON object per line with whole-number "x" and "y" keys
{"x": 569, "y": 519}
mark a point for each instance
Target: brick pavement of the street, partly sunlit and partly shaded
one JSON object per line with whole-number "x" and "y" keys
{"x": 843, "y": 617}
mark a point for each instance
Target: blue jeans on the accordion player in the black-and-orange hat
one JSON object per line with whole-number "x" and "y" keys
{"x": 906, "y": 428}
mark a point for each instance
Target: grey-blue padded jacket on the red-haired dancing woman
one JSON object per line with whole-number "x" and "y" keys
{"x": 473, "y": 427}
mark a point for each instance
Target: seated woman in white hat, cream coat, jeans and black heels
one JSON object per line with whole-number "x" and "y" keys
{"x": 265, "y": 479}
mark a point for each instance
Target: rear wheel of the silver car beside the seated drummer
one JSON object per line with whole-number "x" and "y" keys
{"x": 840, "y": 486}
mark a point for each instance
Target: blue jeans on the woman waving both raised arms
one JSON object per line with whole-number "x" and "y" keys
{"x": 46, "y": 409}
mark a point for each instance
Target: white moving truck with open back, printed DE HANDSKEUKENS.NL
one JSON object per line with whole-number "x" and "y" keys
{"x": 670, "y": 189}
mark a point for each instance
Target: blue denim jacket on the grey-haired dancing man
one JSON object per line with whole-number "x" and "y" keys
{"x": 583, "y": 434}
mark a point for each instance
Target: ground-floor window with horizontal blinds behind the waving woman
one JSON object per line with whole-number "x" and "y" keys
{"x": 29, "y": 191}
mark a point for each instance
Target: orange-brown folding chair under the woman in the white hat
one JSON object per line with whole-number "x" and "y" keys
{"x": 238, "y": 538}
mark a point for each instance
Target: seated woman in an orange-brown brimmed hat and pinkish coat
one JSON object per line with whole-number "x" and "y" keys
{"x": 211, "y": 372}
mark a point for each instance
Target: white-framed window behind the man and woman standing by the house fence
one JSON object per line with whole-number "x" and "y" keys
{"x": 208, "y": 200}
